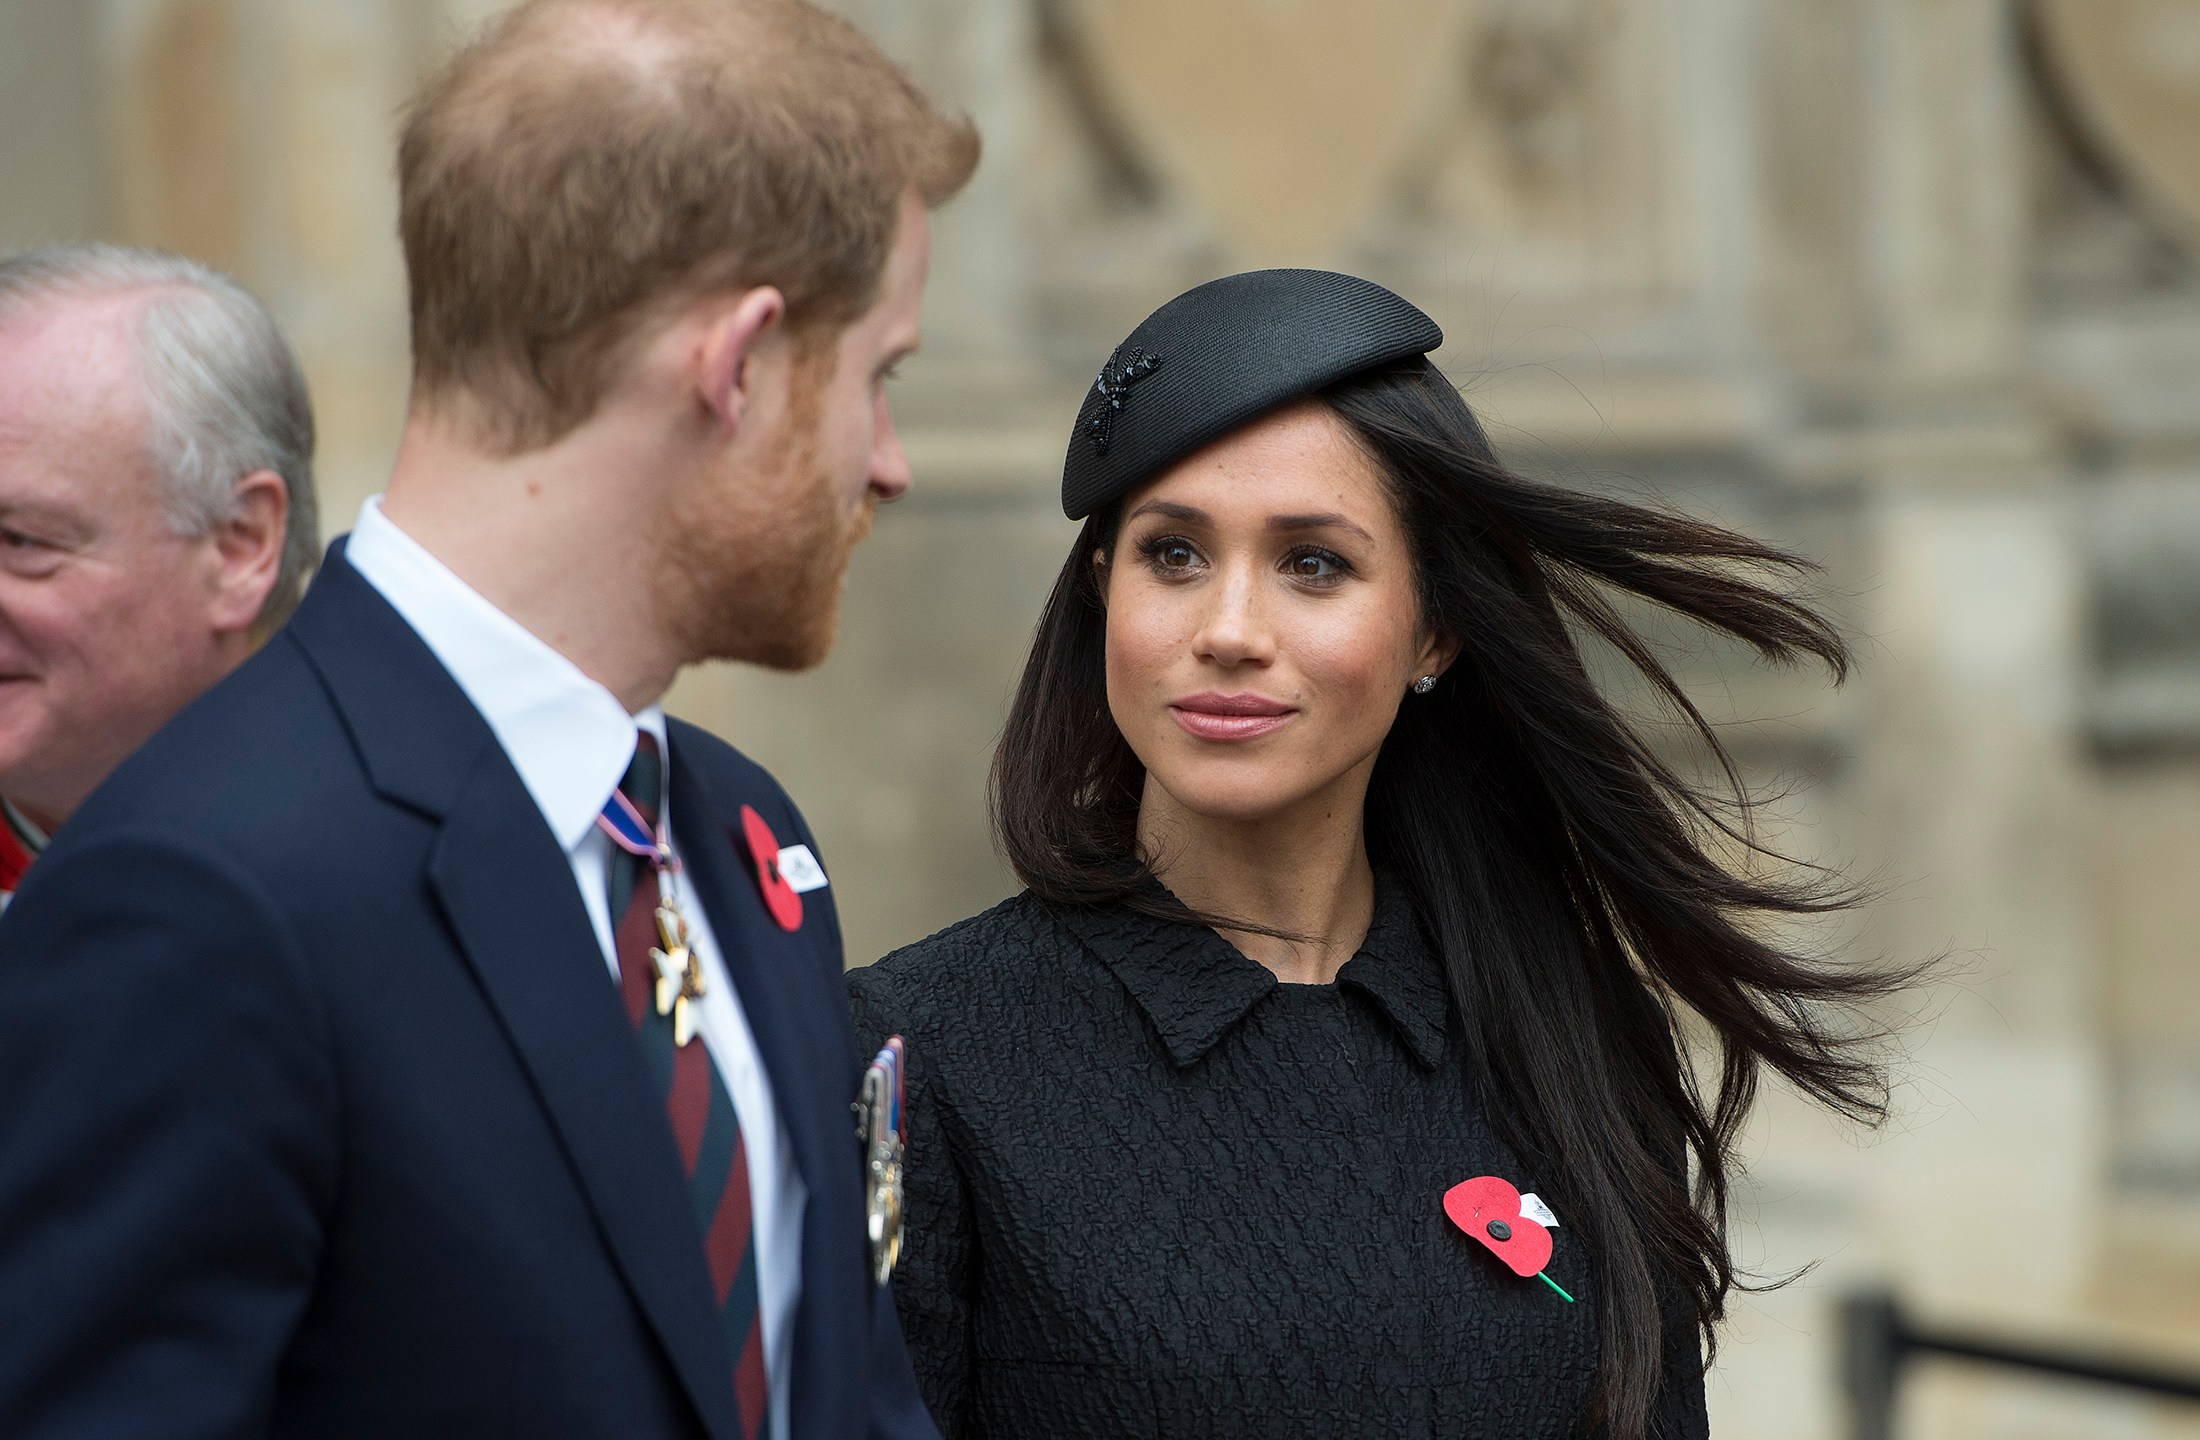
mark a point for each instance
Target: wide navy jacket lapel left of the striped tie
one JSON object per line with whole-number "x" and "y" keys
{"x": 507, "y": 889}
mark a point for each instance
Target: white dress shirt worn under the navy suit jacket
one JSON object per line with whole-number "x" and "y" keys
{"x": 571, "y": 742}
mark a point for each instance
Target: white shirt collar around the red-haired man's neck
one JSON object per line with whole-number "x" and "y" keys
{"x": 566, "y": 735}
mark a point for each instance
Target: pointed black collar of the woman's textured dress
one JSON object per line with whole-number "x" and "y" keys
{"x": 1196, "y": 986}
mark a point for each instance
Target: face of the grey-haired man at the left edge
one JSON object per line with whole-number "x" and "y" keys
{"x": 104, "y": 612}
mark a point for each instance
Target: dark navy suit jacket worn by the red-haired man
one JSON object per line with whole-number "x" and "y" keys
{"x": 320, "y": 1114}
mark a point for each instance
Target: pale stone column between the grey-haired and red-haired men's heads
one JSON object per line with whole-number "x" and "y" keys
{"x": 258, "y": 135}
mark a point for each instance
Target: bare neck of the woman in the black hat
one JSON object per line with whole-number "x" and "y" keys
{"x": 1303, "y": 872}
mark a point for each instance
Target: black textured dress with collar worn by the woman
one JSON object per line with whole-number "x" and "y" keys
{"x": 1158, "y": 1193}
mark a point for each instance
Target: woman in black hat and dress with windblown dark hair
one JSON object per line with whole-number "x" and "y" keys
{"x": 1330, "y": 1074}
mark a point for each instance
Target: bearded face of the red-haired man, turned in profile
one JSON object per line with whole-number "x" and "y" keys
{"x": 756, "y": 557}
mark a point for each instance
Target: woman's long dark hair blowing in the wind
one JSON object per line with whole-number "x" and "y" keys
{"x": 1570, "y": 876}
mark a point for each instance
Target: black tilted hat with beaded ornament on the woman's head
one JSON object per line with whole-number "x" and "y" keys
{"x": 1220, "y": 357}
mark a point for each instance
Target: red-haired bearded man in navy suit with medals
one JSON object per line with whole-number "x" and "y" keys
{"x": 426, "y": 1037}
